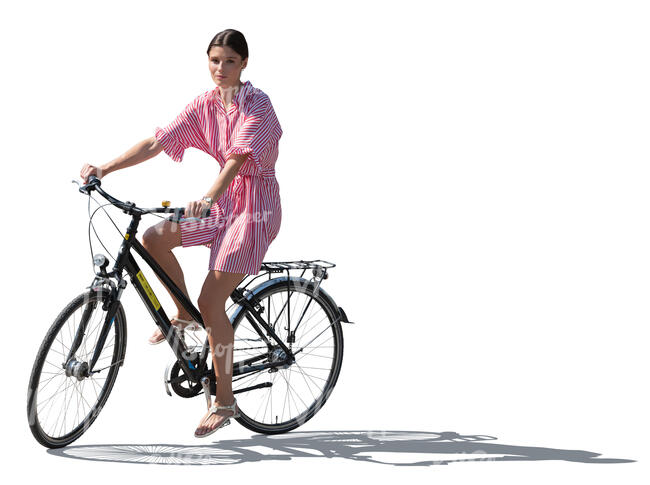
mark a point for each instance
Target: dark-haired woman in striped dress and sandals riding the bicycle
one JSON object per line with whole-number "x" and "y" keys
{"x": 235, "y": 123}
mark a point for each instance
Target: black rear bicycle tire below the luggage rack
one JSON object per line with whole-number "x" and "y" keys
{"x": 326, "y": 303}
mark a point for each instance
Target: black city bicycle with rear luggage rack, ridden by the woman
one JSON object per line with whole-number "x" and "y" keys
{"x": 85, "y": 347}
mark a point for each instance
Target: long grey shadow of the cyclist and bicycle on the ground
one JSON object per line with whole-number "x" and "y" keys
{"x": 366, "y": 445}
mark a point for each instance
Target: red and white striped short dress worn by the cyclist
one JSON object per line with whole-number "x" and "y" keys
{"x": 246, "y": 218}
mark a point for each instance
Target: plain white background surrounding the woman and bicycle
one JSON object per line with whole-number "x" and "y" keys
{"x": 478, "y": 171}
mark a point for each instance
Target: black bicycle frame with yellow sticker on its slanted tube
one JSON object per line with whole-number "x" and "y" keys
{"x": 191, "y": 363}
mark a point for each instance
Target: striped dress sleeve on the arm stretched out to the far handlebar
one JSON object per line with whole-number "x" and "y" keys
{"x": 184, "y": 132}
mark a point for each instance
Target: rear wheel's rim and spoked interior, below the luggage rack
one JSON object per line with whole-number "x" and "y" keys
{"x": 298, "y": 391}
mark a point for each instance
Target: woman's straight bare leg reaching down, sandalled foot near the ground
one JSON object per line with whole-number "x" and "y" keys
{"x": 216, "y": 289}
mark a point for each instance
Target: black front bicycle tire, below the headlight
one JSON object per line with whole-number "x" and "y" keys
{"x": 118, "y": 329}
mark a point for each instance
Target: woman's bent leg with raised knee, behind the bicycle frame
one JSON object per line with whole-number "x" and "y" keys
{"x": 159, "y": 240}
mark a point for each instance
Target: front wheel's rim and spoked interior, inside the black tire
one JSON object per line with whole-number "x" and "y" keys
{"x": 63, "y": 403}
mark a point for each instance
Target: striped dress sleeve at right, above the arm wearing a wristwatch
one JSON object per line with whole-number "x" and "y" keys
{"x": 259, "y": 129}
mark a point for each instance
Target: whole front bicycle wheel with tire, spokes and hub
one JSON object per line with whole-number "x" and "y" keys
{"x": 64, "y": 398}
